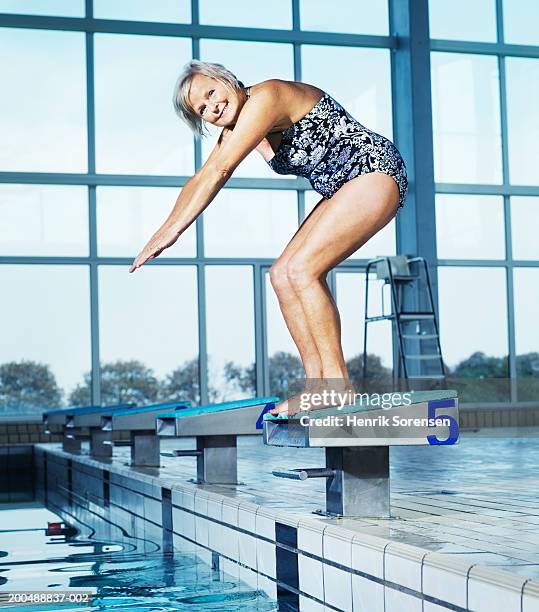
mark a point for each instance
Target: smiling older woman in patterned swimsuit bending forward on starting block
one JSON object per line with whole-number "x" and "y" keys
{"x": 298, "y": 129}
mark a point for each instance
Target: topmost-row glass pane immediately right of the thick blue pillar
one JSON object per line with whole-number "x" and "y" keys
{"x": 446, "y": 20}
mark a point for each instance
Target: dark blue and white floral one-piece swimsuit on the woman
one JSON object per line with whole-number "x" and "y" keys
{"x": 329, "y": 147}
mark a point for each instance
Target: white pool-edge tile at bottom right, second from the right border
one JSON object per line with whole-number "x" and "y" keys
{"x": 490, "y": 589}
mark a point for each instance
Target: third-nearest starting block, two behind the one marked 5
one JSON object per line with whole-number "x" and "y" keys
{"x": 140, "y": 423}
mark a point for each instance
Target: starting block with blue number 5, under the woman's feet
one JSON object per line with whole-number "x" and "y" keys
{"x": 357, "y": 438}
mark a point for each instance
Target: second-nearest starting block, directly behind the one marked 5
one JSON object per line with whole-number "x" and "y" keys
{"x": 216, "y": 427}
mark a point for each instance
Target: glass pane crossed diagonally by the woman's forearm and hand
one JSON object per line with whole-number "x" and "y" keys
{"x": 128, "y": 216}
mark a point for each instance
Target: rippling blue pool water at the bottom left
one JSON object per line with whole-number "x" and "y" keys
{"x": 122, "y": 574}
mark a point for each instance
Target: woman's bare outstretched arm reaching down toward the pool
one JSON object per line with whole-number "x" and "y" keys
{"x": 255, "y": 120}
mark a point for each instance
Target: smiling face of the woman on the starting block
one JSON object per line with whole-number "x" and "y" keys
{"x": 214, "y": 102}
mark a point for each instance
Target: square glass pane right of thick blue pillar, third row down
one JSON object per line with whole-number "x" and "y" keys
{"x": 470, "y": 227}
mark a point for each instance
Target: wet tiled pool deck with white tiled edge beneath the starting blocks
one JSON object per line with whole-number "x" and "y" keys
{"x": 464, "y": 529}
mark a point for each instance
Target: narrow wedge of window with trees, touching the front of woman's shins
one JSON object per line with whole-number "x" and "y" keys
{"x": 284, "y": 364}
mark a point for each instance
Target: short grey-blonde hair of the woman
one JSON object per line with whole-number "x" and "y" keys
{"x": 180, "y": 98}
